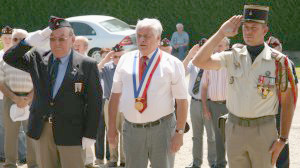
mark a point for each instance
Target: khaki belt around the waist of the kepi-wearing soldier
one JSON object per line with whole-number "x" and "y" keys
{"x": 248, "y": 122}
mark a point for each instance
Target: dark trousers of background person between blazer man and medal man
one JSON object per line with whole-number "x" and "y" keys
{"x": 99, "y": 146}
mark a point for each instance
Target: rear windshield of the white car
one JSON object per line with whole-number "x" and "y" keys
{"x": 115, "y": 25}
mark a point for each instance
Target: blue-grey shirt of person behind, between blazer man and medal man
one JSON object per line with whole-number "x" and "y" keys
{"x": 106, "y": 77}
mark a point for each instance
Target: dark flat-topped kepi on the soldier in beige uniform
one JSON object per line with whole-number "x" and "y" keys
{"x": 256, "y": 13}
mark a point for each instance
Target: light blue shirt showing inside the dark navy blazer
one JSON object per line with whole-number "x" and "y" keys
{"x": 62, "y": 68}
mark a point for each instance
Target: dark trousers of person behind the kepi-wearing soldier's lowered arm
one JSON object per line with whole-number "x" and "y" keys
{"x": 283, "y": 160}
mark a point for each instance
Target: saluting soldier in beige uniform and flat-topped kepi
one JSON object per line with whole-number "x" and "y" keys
{"x": 259, "y": 78}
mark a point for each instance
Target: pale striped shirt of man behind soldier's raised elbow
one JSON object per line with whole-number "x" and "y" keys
{"x": 216, "y": 81}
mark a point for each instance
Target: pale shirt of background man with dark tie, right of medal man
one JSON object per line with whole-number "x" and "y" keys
{"x": 193, "y": 71}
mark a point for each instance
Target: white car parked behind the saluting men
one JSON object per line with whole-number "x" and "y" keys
{"x": 103, "y": 32}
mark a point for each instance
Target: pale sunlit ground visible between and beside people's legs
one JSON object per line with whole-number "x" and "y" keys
{"x": 184, "y": 156}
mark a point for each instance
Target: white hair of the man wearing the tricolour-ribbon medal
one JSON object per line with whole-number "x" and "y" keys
{"x": 152, "y": 23}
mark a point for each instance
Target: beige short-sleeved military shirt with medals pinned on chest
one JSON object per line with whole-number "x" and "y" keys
{"x": 251, "y": 90}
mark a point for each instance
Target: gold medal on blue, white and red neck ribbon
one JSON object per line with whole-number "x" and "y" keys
{"x": 140, "y": 87}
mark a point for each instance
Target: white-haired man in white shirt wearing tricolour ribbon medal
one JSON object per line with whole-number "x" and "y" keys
{"x": 146, "y": 83}
